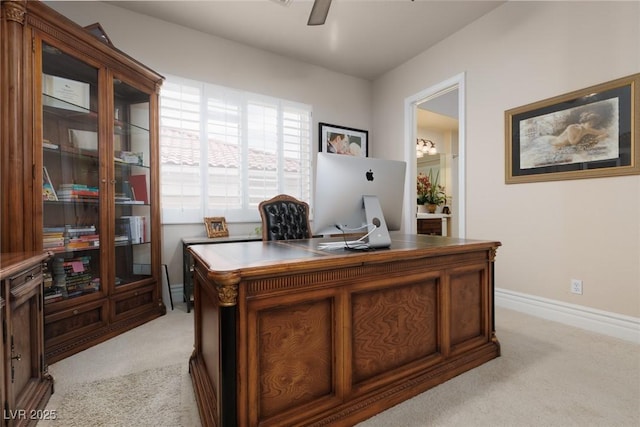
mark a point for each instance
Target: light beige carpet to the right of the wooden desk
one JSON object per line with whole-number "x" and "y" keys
{"x": 549, "y": 375}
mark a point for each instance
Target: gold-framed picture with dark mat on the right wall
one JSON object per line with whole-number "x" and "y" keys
{"x": 588, "y": 133}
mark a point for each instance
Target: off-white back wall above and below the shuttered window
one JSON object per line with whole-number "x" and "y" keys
{"x": 170, "y": 49}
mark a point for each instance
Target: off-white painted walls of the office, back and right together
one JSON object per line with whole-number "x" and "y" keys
{"x": 520, "y": 53}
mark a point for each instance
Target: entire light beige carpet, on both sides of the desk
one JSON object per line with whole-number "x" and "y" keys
{"x": 549, "y": 375}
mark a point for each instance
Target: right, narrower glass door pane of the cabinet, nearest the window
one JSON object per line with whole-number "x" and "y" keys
{"x": 131, "y": 166}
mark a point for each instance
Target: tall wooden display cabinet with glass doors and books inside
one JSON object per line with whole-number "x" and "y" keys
{"x": 88, "y": 161}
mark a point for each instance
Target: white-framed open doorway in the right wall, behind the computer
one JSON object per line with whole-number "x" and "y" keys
{"x": 444, "y": 99}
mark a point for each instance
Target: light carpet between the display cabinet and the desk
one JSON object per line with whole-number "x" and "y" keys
{"x": 139, "y": 378}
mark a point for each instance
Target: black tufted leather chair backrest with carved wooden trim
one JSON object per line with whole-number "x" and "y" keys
{"x": 284, "y": 218}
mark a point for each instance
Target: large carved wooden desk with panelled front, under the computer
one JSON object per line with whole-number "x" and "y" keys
{"x": 286, "y": 334}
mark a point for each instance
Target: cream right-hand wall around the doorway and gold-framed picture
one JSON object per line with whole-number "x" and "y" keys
{"x": 551, "y": 232}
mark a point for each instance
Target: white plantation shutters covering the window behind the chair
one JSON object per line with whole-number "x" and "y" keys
{"x": 223, "y": 151}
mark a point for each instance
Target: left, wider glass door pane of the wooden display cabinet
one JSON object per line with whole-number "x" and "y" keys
{"x": 71, "y": 181}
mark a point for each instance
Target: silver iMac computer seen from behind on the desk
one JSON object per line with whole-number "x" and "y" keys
{"x": 358, "y": 195}
